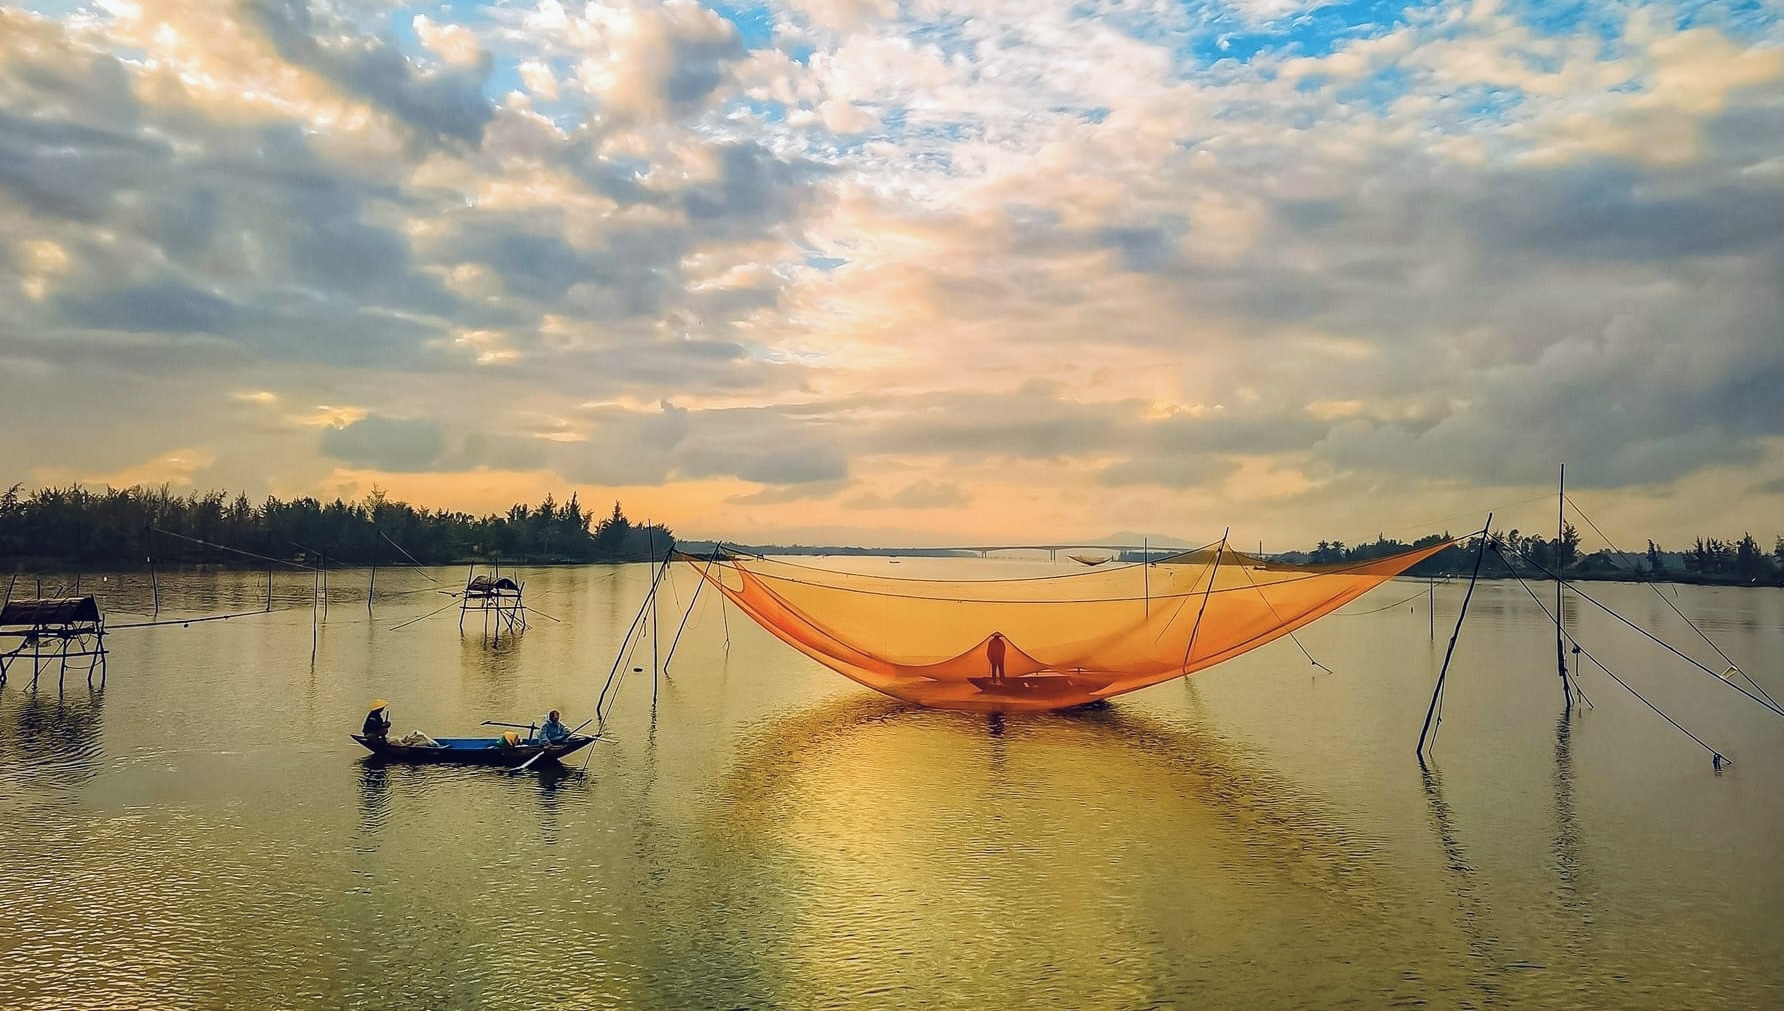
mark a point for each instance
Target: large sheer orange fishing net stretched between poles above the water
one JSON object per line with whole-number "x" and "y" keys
{"x": 1041, "y": 643}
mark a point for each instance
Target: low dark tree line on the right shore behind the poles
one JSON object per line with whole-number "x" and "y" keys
{"x": 1516, "y": 554}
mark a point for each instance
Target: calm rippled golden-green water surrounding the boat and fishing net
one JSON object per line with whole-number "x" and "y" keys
{"x": 202, "y": 834}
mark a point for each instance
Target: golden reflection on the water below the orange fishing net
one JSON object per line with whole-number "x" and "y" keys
{"x": 1134, "y": 841}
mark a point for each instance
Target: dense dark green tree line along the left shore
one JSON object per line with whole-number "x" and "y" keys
{"x": 129, "y": 529}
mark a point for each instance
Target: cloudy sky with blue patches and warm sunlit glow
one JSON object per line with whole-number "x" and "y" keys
{"x": 907, "y": 272}
